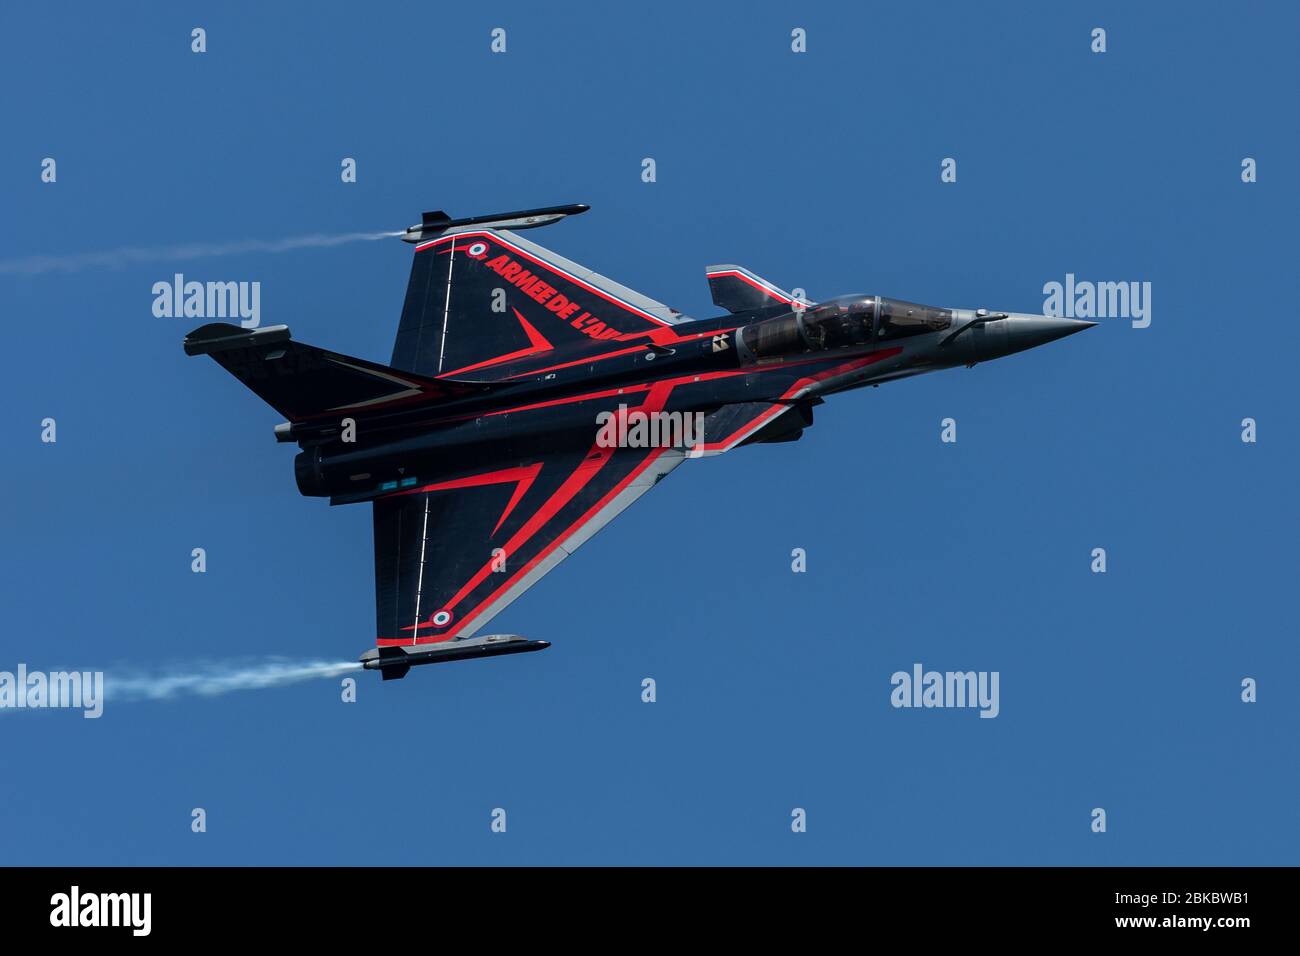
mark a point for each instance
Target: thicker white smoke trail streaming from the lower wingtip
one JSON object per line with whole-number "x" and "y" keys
{"x": 215, "y": 680}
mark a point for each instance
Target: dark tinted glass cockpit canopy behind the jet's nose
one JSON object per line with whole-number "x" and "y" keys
{"x": 844, "y": 322}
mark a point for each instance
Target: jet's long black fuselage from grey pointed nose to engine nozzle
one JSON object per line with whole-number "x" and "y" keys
{"x": 843, "y": 344}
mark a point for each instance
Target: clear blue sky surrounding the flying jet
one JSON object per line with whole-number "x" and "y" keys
{"x": 818, "y": 171}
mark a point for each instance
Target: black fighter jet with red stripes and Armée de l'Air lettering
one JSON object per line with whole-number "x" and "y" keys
{"x": 530, "y": 401}
